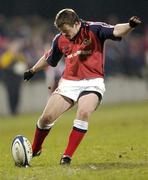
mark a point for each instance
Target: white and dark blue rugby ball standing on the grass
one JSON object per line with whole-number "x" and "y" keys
{"x": 21, "y": 151}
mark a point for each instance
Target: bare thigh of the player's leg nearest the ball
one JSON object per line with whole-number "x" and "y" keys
{"x": 57, "y": 105}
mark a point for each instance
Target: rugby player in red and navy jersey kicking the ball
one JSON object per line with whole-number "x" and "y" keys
{"x": 81, "y": 43}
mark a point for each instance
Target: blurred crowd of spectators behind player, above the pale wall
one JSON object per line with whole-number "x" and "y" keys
{"x": 24, "y": 40}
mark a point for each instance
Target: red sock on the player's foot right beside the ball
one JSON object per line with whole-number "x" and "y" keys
{"x": 40, "y": 135}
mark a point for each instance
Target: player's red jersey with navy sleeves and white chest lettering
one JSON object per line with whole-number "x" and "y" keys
{"x": 84, "y": 53}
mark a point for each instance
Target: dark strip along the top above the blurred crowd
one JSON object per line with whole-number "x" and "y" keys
{"x": 87, "y": 9}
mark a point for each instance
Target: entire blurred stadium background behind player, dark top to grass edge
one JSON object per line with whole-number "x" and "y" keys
{"x": 26, "y": 30}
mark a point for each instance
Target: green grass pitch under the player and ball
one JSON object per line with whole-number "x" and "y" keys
{"x": 114, "y": 148}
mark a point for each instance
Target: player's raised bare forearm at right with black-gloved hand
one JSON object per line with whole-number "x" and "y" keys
{"x": 121, "y": 30}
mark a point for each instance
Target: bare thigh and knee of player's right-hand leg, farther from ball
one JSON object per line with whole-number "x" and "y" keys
{"x": 87, "y": 104}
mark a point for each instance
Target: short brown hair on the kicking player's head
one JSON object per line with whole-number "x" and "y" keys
{"x": 66, "y": 16}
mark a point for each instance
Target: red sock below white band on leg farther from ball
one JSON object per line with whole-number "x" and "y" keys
{"x": 75, "y": 138}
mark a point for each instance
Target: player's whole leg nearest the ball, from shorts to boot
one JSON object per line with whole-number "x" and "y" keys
{"x": 56, "y": 106}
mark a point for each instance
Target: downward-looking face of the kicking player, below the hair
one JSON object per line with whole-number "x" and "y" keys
{"x": 70, "y": 31}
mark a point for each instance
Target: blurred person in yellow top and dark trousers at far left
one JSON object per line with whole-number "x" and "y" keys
{"x": 12, "y": 63}
